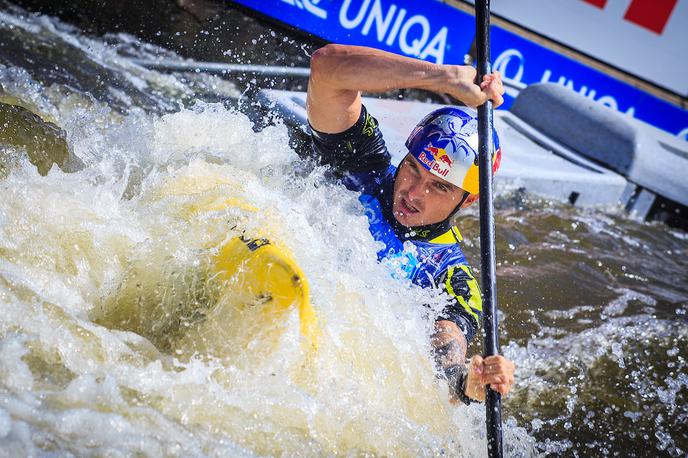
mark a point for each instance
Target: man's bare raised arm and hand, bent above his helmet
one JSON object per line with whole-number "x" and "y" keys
{"x": 339, "y": 73}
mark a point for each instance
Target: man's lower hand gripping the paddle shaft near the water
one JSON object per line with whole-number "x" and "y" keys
{"x": 496, "y": 371}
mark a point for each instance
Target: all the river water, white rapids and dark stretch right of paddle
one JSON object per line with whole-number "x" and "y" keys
{"x": 153, "y": 171}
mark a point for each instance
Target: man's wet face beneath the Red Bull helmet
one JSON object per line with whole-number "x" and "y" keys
{"x": 420, "y": 197}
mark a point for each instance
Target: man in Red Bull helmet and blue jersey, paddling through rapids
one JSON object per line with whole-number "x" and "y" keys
{"x": 416, "y": 203}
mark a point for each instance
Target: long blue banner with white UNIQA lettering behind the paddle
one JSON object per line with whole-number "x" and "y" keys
{"x": 439, "y": 33}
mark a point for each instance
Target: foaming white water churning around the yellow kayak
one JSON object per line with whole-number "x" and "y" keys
{"x": 137, "y": 226}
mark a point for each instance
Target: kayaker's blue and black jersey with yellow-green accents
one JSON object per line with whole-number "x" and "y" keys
{"x": 429, "y": 256}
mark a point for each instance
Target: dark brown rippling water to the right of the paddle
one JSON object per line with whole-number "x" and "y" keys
{"x": 594, "y": 312}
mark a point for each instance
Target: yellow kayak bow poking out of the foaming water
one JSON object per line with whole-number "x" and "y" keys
{"x": 260, "y": 284}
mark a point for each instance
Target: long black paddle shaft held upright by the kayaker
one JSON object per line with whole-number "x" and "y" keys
{"x": 493, "y": 400}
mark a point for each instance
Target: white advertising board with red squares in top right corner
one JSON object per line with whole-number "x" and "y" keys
{"x": 646, "y": 38}
